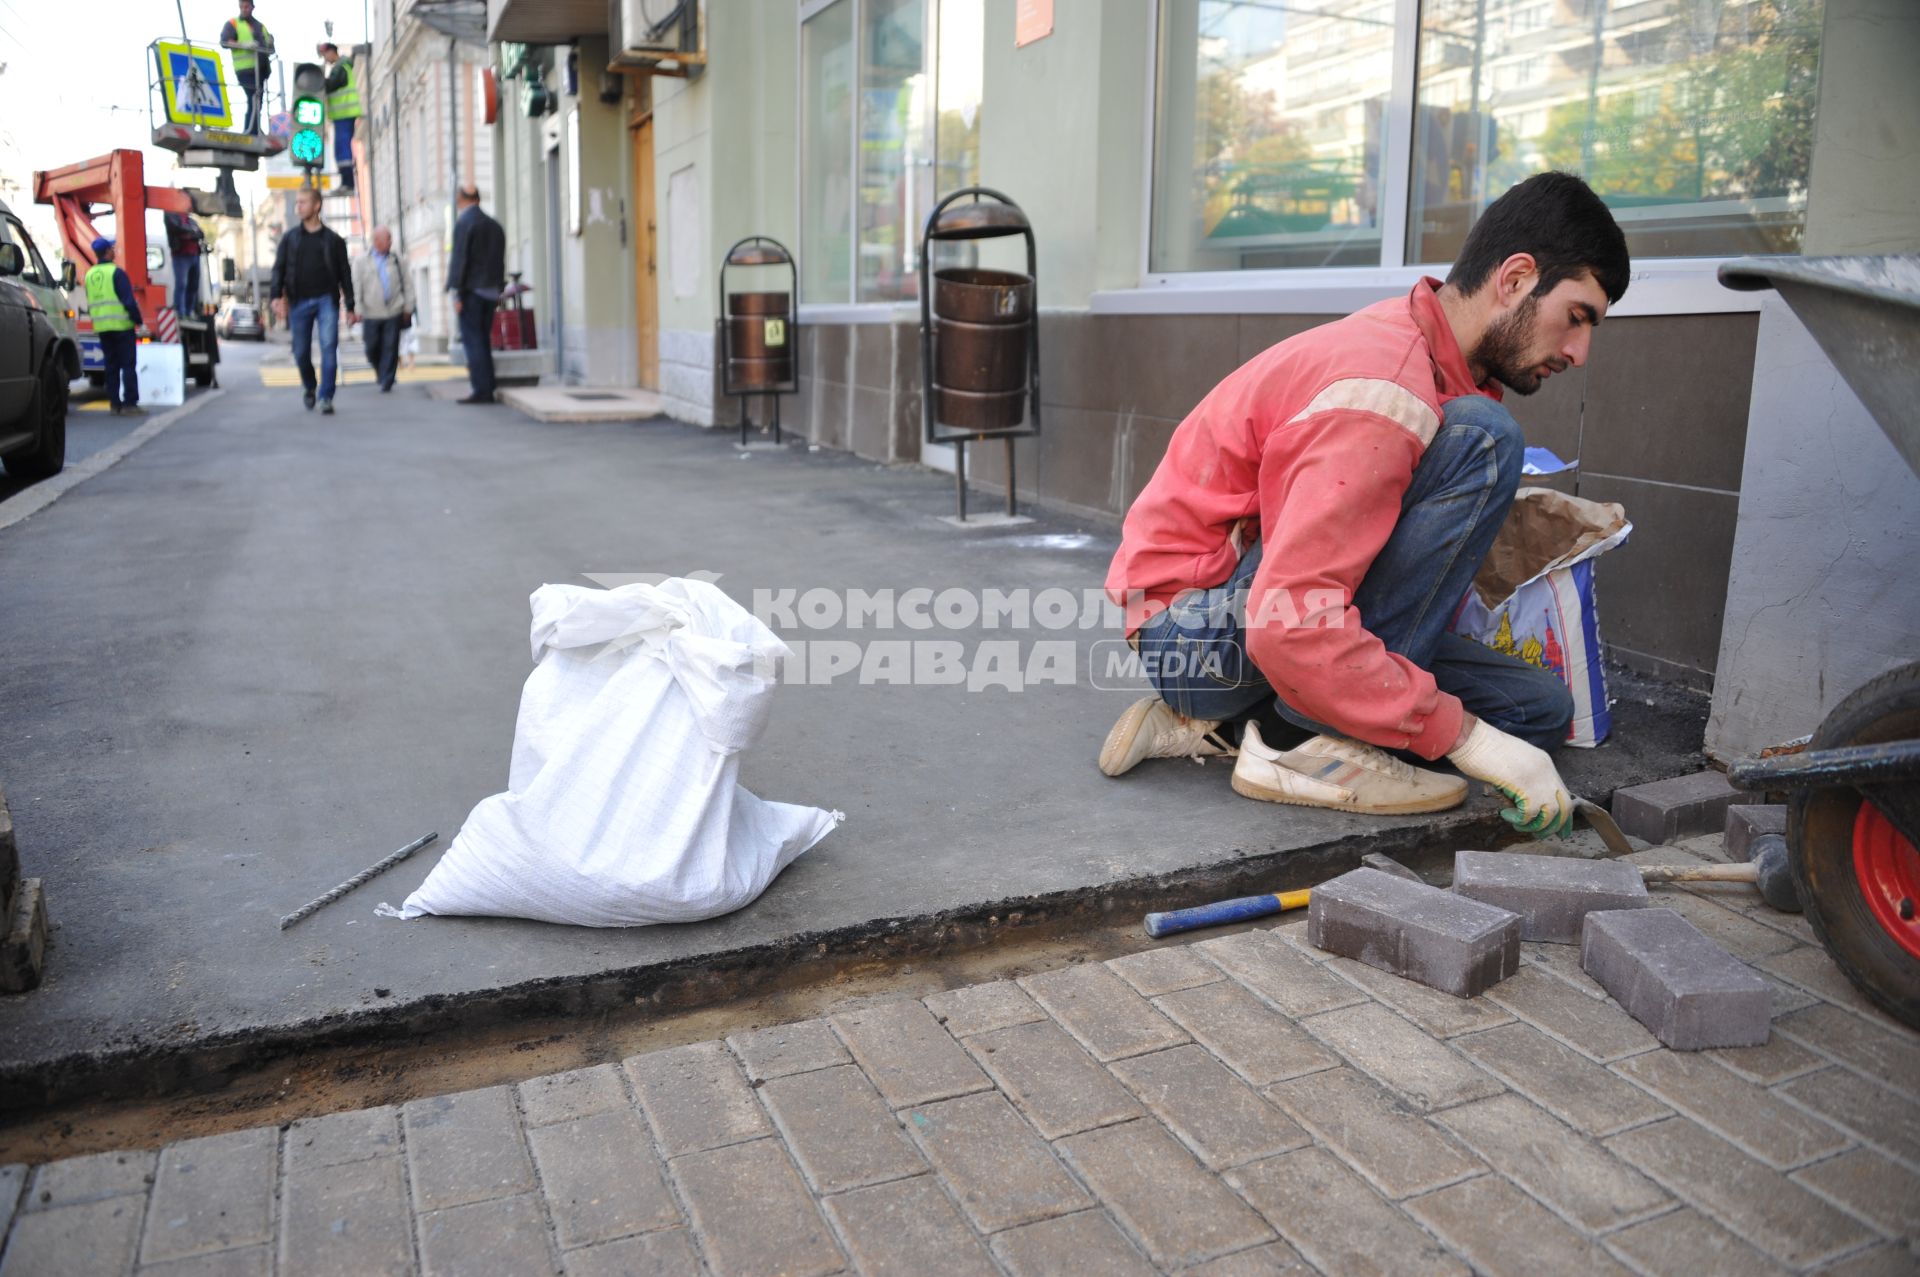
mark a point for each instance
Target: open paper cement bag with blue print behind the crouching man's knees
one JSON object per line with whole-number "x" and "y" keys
{"x": 1535, "y": 596}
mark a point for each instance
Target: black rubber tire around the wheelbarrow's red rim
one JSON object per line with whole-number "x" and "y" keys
{"x": 1821, "y": 850}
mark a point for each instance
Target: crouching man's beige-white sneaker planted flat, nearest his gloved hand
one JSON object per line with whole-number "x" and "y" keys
{"x": 1343, "y": 775}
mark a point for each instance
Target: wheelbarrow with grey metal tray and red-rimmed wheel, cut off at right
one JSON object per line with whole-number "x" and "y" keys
{"x": 1854, "y": 817}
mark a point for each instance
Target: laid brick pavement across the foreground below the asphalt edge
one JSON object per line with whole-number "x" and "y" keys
{"x": 1239, "y": 1105}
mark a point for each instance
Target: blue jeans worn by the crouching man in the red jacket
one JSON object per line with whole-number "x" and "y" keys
{"x": 1449, "y": 521}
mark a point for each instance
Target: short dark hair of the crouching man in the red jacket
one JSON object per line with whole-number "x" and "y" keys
{"x": 1560, "y": 222}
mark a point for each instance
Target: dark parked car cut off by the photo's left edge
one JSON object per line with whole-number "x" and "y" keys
{"x": 39, "y": 356}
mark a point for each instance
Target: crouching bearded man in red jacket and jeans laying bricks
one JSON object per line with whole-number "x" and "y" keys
{"x": 1320, "y": 516}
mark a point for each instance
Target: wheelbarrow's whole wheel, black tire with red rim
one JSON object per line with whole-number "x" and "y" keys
{"x": 1856, "y": 875}
